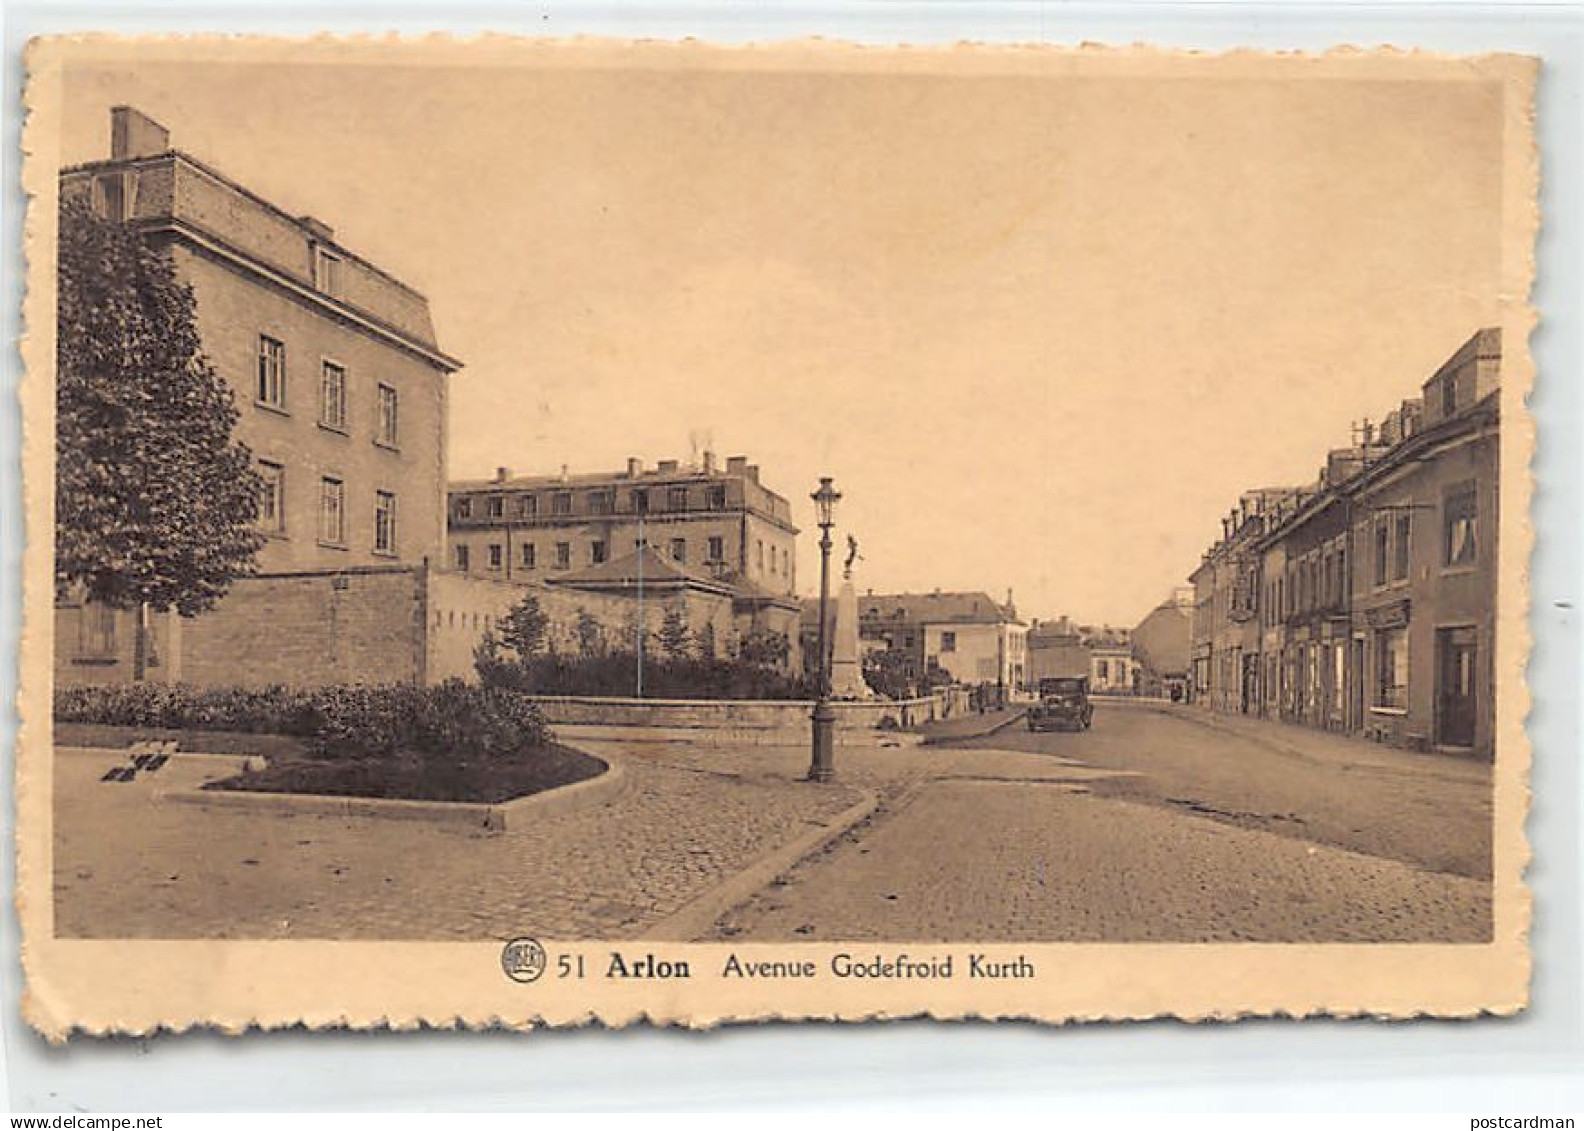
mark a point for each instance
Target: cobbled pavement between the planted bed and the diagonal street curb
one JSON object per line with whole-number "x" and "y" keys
{"x": 129, "y": 866}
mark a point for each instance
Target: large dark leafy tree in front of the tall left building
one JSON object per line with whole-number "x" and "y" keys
{"x": 156, "y": 505}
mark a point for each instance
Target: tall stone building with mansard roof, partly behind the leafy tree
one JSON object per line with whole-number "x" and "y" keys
{"x": 343, "y": 395}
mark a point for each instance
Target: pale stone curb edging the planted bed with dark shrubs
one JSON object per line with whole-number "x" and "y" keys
{"x": 495, "y": 818}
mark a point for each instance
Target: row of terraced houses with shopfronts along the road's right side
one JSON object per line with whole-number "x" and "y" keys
{"x": 1365, "y": 603}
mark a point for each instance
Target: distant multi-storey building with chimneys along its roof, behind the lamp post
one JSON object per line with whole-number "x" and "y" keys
{"x": 709, "y": 533}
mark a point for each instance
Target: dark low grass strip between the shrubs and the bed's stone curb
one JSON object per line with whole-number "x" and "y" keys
{"x": 414, "y": 779}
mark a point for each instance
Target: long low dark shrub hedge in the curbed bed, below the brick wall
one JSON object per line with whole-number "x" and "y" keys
{"x": 449, "y": 723}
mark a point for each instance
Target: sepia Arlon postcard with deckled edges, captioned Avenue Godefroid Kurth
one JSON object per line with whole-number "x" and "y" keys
{"x": 525, "y": 533}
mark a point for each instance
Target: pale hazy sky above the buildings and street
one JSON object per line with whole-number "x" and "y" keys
{"x": 1040, "y": 329}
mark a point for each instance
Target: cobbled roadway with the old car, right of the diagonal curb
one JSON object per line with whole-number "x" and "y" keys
{"x": 1171, "y": 832}
